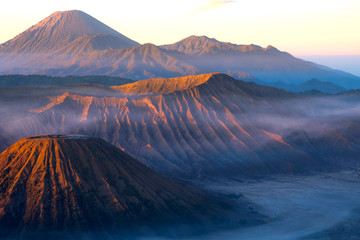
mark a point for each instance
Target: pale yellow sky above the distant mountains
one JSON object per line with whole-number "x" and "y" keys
{"x": 306, "y": 27}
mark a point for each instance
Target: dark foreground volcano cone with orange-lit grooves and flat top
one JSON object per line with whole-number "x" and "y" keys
{"x": 78, "y": 183}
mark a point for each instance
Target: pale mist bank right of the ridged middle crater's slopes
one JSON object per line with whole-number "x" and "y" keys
{"x": 315, "y": 115}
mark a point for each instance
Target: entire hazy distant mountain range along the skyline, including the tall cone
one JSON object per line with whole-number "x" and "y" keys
{"x": 74, "y": 43}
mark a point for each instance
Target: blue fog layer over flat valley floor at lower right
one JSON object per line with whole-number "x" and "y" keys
{"x": 298, "y": 206}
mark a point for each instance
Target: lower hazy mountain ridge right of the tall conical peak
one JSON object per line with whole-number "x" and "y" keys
{"x": 266, "y": 64}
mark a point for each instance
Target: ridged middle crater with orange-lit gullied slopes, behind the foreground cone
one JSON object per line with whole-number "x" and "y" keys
{"x": 193, "y": 126}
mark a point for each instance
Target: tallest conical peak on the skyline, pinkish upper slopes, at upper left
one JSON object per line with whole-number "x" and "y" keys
{"x": 61, "y": 29}
